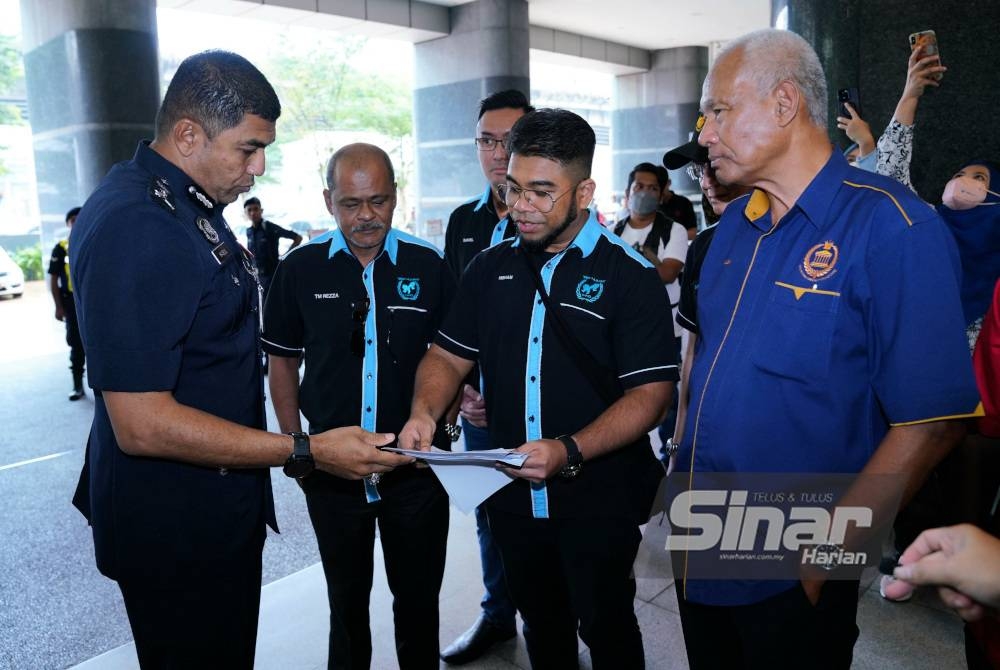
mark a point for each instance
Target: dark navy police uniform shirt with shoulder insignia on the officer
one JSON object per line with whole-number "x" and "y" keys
{"x": 167, "y": 302}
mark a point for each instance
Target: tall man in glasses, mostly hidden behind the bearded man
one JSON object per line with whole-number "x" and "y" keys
{"x": 472, "y": 227}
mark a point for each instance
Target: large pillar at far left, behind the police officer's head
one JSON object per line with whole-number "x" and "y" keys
{"x": 93, "y": 91}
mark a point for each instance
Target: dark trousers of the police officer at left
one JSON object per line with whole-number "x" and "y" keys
{"x": 197, "y": 621}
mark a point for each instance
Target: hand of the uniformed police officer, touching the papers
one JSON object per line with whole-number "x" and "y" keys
{"x": 353, "y": 453}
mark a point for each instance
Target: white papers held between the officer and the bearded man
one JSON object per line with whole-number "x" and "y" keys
{"x": 468, "y": 476}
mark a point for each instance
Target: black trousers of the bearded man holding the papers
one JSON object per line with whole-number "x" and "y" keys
{"x": 570, "y": 574}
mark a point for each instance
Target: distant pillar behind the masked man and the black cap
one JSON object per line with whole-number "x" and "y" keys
{"x": 656, "y": 111}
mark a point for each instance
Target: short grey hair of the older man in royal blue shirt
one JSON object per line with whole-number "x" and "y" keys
{"x": 771, "y": 56}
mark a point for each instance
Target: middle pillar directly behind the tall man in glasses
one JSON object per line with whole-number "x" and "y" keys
{"x": 487, "y": 51}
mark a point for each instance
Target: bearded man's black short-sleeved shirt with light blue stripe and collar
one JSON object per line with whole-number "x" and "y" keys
{"x": 613, "y": 302}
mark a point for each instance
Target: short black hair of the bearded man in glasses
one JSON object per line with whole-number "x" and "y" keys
{"x": 558, "y": 135}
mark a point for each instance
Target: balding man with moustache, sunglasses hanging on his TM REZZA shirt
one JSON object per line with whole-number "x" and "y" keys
{"x": 362, "y": 303}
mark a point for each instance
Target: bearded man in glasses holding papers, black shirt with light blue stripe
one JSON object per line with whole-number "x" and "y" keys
{"x": 567, "y": 524}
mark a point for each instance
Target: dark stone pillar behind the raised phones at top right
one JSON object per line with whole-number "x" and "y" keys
{"x": 865, "y": 44}
